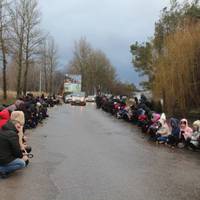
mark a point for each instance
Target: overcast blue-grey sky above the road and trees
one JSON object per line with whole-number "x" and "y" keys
{"x": 109, "y": 25}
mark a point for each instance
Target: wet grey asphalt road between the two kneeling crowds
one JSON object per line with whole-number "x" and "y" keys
{"x": 85, "y": 154}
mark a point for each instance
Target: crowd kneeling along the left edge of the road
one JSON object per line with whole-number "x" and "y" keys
{"x": 26, "y": 113}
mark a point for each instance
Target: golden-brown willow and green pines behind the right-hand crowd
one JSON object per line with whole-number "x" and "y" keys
{"x": 171, "y": 58}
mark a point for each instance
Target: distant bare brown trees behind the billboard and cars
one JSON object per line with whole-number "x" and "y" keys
{"x": 98, "y": 74}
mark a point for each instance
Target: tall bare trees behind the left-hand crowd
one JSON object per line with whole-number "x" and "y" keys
{"x": 28, "y": 55}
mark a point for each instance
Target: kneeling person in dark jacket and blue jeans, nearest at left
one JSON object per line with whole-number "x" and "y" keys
{"x": 11, "y": 157}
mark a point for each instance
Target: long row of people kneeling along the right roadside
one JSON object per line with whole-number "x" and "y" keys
{"x": 172, "y": 132}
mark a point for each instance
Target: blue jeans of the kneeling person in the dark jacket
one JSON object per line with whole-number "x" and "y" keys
{"x": 13, "y": 166}
